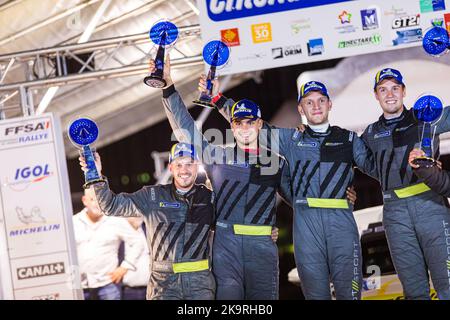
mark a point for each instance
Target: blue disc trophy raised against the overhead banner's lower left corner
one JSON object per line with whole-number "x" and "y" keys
{"x": 215, "y": 53}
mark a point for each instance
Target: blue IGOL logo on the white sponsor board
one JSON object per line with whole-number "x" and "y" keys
{"x": 23, "y": 177}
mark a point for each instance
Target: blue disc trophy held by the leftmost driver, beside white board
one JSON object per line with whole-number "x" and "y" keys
{"x": 83, "y": 132}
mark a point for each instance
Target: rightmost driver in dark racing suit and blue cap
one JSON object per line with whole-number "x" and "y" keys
{"x": 413, "y": 215}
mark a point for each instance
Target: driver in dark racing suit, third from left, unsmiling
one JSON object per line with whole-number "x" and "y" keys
{"x": 321, "y": 160}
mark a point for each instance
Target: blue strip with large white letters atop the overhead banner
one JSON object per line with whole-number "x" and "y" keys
{"x": 221, "y": 10}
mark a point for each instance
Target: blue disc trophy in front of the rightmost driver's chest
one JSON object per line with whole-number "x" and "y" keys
{"x": 428, "y": 110}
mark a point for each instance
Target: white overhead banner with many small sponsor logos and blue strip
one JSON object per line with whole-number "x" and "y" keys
{"x": 259, "y": 31}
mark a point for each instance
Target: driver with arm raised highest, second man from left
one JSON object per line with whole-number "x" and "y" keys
{"x": 245, "y": 179}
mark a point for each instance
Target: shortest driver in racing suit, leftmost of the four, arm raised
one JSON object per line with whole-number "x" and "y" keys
{"x": 178, "y": 218}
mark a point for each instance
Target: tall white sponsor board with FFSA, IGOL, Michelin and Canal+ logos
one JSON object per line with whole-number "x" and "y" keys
{"x": 38, "y": 251}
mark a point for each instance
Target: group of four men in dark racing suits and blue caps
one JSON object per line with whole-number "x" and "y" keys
{"x": 311, "y": 167}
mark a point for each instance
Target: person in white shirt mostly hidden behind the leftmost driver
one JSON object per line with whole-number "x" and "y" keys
{"x": 134, "y": 284}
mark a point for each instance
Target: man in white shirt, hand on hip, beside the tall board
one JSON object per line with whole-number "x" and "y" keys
{"x": 98, "y": 239}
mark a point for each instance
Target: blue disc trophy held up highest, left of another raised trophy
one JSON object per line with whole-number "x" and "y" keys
{"x": 163, "y": 34}
